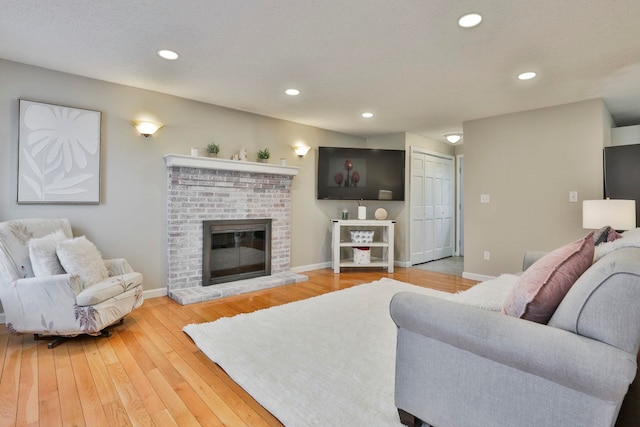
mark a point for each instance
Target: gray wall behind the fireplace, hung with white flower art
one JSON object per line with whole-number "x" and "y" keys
{"x": 130, "y": 221}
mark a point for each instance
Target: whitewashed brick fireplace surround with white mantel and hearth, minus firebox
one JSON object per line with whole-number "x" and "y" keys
{"x": 205, "y": 189}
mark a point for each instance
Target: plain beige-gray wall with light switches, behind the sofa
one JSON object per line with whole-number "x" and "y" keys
{"x": 528, "y": 162}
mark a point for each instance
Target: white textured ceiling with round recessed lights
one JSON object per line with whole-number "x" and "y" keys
{"x": 404, "y": 60}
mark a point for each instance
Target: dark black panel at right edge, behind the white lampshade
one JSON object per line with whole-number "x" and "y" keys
{"x": 622, "y": 174}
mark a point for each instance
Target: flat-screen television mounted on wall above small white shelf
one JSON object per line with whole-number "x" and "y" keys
{"x": 360, "y": 174}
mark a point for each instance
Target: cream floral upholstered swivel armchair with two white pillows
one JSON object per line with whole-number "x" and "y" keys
{"x": 57, "y": 287}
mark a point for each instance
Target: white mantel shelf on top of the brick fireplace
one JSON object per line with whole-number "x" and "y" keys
{"x": 181, "y": 160}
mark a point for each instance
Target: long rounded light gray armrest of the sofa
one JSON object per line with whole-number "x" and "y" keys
{"x": 571, "y": 360}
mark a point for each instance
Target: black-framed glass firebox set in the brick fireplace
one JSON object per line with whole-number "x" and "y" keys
{"x": 235, "y": 250}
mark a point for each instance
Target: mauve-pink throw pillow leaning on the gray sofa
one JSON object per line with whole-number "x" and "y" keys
{"x": 541, "y": 288}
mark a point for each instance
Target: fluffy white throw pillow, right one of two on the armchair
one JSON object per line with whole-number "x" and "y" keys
{"x": 81, "y": 257}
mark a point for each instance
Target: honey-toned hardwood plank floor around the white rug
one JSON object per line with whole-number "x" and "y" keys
{"x": 149, "y": 372}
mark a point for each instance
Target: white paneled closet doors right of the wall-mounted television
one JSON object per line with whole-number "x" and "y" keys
{"x": 432, "y": 206}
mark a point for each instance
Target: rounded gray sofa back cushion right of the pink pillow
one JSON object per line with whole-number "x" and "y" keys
{"x": 604, "y": 303}
